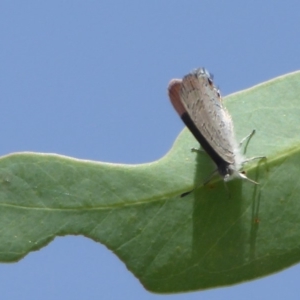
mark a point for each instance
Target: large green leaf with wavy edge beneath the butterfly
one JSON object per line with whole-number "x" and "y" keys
{"x": 215, "y": 236}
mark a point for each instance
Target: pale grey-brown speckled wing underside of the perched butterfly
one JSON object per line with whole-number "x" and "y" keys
{"x": 203, "y": 103}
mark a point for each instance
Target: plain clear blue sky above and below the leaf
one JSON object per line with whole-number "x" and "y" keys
{"x": 88, "y": 79}
